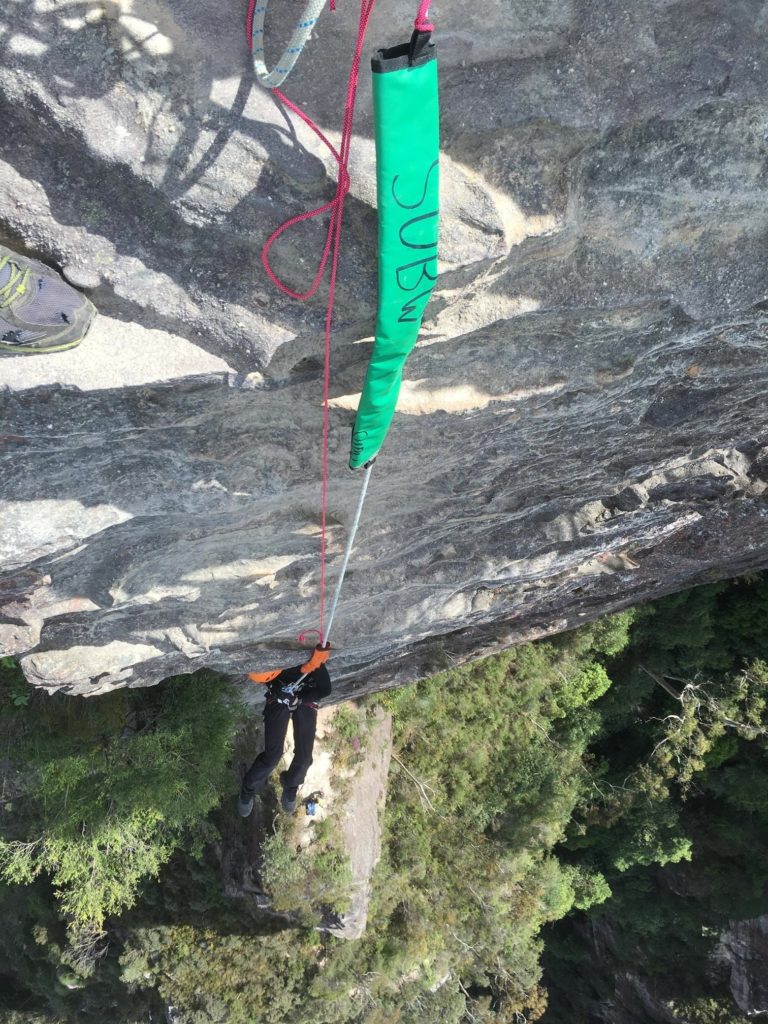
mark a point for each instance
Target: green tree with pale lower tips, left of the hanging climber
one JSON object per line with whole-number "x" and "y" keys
{"x": 106, "y": 797}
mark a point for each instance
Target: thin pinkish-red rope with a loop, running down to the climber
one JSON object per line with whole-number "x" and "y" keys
{"x": 331, "y": 250}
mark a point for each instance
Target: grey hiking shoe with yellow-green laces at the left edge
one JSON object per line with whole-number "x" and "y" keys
{"x": 39, "y": 313}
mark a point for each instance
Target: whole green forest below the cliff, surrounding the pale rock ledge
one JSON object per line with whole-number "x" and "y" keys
{"x": 613, "y": 781}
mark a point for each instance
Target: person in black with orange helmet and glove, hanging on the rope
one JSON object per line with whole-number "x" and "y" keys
{"x": 292, "y": 694}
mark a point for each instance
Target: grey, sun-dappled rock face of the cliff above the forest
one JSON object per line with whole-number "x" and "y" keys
{"x": 583, "y": 426}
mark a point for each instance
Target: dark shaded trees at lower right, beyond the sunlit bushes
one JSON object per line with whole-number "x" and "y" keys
{"x": 681, "y": 774}
